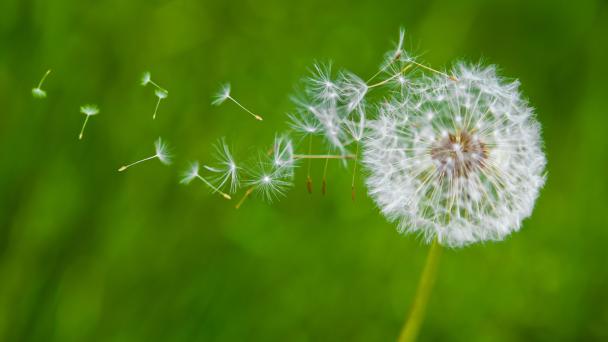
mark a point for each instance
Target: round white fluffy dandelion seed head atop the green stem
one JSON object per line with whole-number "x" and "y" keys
{"x": 458, "y": 161}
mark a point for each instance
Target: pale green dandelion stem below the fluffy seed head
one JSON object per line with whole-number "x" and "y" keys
{"x": 411, "y": 327}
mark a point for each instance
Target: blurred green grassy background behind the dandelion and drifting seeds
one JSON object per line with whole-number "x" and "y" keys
{"x": 90, "y": 254}
